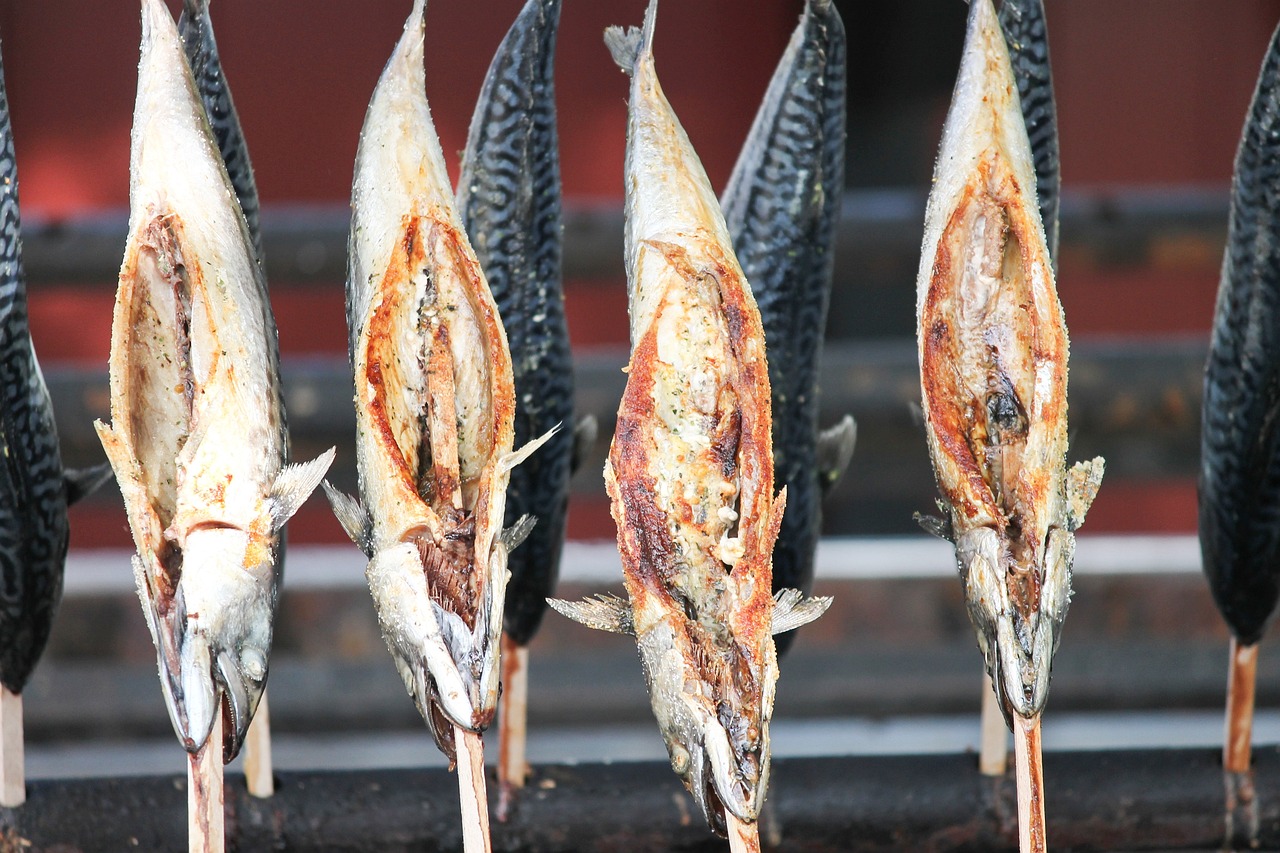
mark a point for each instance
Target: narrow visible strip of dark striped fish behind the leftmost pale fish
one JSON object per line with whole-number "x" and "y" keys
{"x": 198, "y": 40}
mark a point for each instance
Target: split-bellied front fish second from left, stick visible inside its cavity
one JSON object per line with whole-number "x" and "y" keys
{"x": 435, "y": 409}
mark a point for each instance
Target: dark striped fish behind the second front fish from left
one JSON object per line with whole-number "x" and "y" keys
{"x": 510, "y": 204}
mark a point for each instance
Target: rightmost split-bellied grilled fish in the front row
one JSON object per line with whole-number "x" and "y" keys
{"x": 994, "y": 359}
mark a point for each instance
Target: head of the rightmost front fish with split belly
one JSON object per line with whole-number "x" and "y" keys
{"x": 1017, "y": 638}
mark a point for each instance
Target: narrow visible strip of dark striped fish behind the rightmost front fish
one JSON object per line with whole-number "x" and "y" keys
{"x": 1027, "y": 37}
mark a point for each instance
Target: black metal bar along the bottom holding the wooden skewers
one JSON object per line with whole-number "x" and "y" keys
{"x": 1098, "y": 801}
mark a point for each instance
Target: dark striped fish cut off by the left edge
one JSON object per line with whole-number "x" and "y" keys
{"x": 33, "y": 498}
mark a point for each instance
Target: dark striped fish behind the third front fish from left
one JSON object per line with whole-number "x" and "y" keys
{"x": 781, "y": 207}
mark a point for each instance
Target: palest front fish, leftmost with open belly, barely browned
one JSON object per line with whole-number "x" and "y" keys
{"x": 198, "y": 428}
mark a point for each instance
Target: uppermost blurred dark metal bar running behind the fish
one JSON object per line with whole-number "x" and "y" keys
{"x": 1123, "y": 226}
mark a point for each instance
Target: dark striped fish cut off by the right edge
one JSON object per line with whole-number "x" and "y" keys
{"x": 1240, "y": 481}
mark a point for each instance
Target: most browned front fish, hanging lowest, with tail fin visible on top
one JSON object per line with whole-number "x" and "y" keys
{"x": 691, "y": 472}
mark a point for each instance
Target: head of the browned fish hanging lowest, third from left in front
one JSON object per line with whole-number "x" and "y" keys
{"x": 724, "y": 759}
